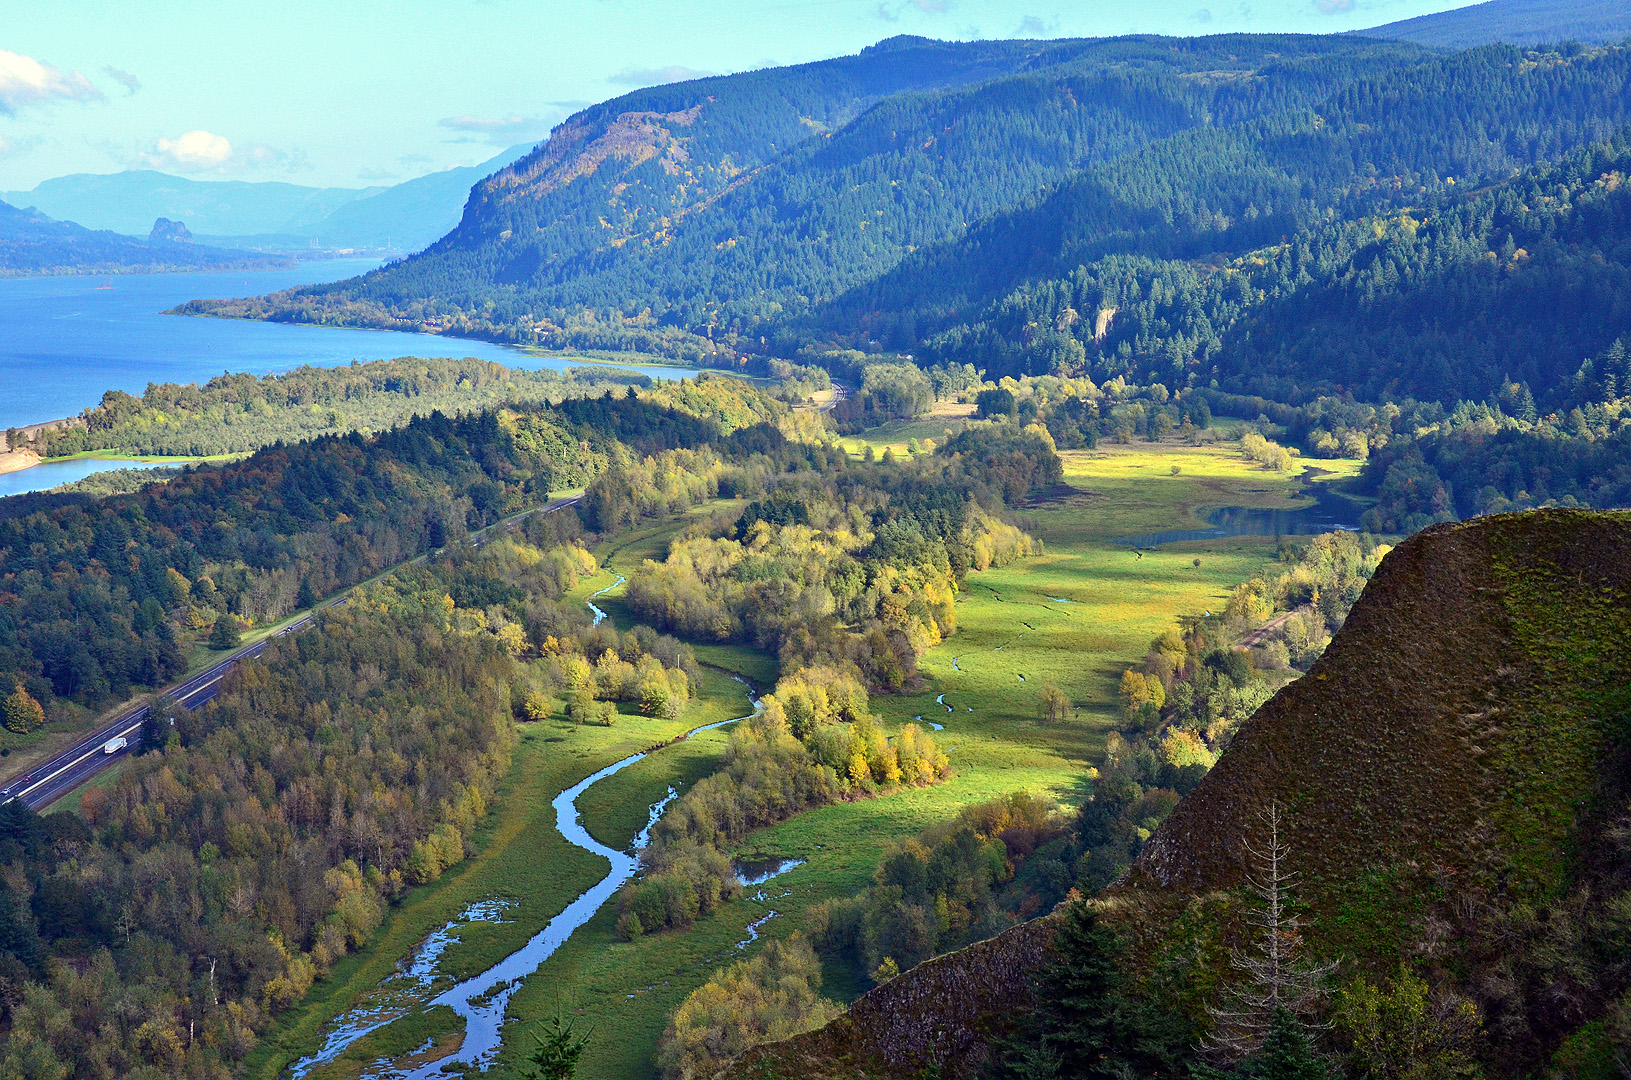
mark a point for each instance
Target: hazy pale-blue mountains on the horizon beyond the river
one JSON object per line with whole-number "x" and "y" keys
{"x": 402, "y": 218}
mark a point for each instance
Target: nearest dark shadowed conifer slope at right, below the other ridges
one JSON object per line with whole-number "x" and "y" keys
{"x": 1441, "y": 303}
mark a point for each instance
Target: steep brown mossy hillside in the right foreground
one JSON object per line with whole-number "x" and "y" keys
{"x": 1456, "y": 787}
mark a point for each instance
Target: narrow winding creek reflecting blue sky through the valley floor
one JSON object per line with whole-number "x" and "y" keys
{"x": 484, "y": 999}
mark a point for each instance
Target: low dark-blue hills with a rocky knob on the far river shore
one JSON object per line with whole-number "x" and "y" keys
{"x": 37, "y": 246}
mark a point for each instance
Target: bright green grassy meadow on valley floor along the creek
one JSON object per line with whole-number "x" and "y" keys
{"x": 1076, "y": 616}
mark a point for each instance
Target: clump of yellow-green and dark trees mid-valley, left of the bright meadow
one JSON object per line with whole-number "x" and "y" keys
{"x": 854, "y": 567}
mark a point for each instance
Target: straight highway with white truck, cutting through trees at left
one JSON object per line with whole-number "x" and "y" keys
{"x": 87, "y": 758}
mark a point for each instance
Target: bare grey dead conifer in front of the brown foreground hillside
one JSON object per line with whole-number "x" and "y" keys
{"x": 1276, "y": 975}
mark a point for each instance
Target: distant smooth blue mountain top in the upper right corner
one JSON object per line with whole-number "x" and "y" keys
{"x": 1516, "y": 22}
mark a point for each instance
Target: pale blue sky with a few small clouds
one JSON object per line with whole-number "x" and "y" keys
{"x": 368, "y": 92}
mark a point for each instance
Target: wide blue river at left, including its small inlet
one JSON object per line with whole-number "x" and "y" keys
{"x": 64, "y": 342}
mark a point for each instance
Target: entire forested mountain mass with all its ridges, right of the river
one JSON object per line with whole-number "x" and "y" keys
{"x": 981, "y": 203}
